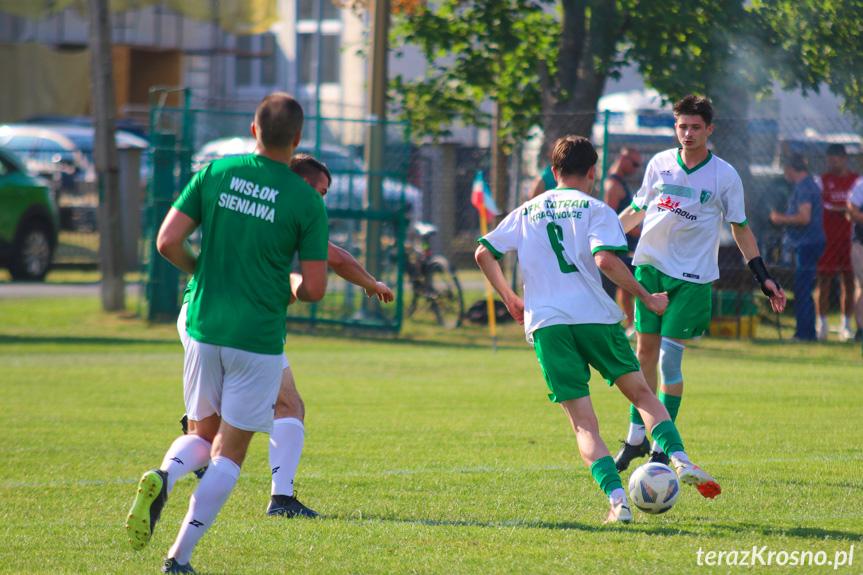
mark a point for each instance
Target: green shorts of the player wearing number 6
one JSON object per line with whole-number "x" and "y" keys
{"x": 566, "y": 353}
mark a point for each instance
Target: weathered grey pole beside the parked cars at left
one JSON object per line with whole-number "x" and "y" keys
{"x": 105, "y": 158}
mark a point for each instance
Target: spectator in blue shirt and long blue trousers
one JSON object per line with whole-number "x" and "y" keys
{"x": 804, "y": 234}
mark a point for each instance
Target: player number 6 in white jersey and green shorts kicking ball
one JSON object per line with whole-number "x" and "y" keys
{"x": 563, "y": 238}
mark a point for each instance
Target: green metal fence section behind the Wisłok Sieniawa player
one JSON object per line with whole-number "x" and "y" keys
{"x": 185, "y": 139}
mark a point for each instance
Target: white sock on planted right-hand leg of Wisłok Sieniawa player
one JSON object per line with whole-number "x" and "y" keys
{"x": 206, "y": 502}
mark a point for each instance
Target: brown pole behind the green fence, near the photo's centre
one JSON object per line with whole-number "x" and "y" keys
{"x": 376, "y": 136}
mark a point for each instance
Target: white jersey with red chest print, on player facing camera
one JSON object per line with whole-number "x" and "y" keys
{"x": 685, "y": 207}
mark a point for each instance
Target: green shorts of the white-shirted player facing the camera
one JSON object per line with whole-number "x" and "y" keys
{"x": 688, "y": 313}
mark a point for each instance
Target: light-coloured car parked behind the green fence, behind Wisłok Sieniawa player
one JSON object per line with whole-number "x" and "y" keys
{"x": 349, "y": 177}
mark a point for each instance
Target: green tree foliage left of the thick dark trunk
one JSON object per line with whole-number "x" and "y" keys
{"x": 478, "y": 51}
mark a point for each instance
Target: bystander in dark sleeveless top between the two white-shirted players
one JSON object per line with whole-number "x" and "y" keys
{"x": 618, "y": 196}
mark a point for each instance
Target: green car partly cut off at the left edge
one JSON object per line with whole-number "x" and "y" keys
{"x": 28, "y": 221}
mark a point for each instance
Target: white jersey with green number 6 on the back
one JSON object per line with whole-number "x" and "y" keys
{"x": 556, "y": 235}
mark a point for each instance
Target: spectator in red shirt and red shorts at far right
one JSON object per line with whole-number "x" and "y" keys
{"x": 836, "y": 184}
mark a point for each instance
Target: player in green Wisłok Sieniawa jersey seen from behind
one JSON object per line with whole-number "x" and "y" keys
{"x": 255, "y": 215}
